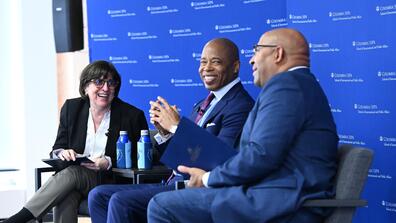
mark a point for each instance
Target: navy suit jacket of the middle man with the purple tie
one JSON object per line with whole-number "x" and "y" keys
{"x": 229, "y": 115}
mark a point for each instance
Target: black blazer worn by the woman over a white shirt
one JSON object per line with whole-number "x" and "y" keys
{"x": 72, "y": 129}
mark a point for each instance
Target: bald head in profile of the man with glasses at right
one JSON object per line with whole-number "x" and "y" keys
{"x": 277, "y": 51}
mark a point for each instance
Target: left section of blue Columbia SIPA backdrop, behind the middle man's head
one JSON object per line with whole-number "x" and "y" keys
{"x": 156, "y": 45}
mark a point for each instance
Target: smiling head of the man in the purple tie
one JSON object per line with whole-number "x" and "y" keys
{"x": 217, "y": 67}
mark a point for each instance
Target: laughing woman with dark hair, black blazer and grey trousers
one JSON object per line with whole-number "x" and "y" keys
{"x": 89, "y": 125}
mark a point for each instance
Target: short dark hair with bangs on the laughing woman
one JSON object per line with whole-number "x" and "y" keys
{"x": 96, "y": 70}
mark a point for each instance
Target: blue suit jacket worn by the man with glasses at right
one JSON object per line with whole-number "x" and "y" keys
{"x": 287, "y": 154}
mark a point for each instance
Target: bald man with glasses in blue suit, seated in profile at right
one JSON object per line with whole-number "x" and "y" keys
{"x": 287, "y": 152}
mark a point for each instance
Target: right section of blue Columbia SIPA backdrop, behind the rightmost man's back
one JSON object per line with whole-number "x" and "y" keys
{"x": 353, "y": 48}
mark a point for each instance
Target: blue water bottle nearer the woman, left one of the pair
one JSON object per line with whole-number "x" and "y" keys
{"x": 124, "y": 151}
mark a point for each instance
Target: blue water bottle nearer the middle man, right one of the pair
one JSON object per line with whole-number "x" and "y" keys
{"x": 144, "y": 150}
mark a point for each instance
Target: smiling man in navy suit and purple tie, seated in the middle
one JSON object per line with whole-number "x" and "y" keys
{"x": 223, "y": 114}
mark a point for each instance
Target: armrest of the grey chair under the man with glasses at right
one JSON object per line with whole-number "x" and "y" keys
{"x": 334, "y": 203}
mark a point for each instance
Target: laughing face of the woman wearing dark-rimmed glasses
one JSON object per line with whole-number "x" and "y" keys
{"x": 100, "y": 97}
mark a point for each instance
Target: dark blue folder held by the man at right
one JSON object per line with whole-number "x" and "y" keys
{"x": 193, "y": 146}
